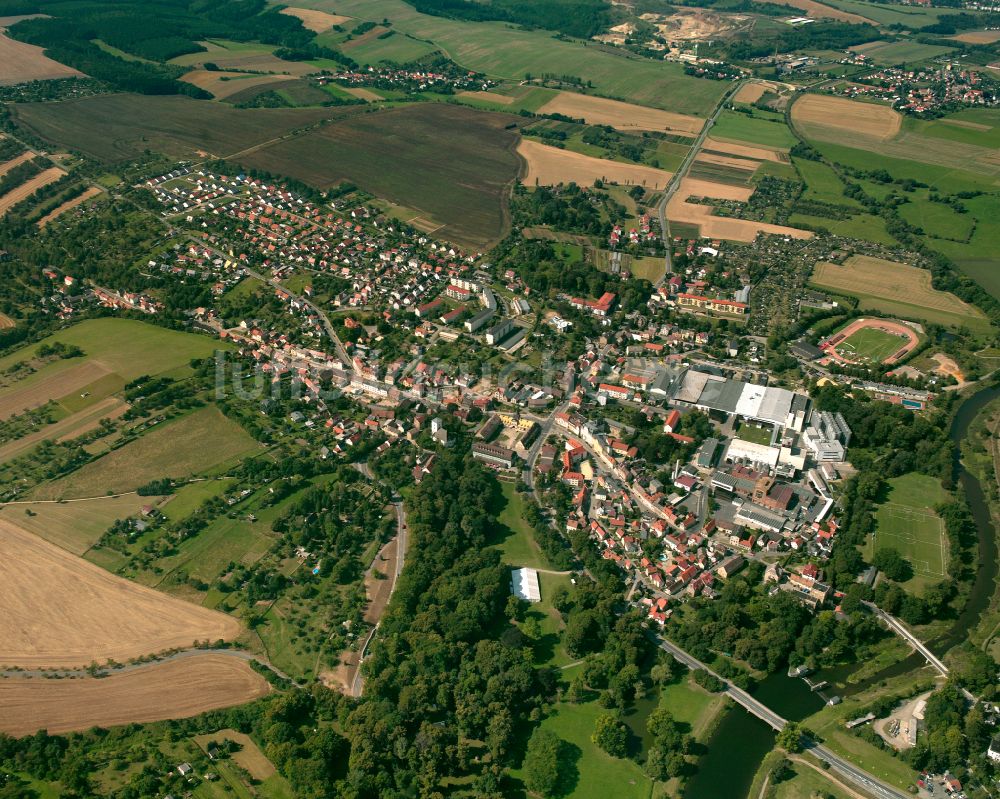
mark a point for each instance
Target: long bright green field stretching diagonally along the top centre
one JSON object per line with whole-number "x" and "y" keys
{"x": 505, "y": 51}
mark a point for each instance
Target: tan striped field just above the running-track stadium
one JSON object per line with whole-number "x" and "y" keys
{"x": 875, "y": 277}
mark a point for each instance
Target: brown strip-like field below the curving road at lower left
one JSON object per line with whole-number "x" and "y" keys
{"x": 173, "y": 690}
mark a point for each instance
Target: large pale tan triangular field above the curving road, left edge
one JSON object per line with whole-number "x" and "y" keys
{"x": 59, "y": 610}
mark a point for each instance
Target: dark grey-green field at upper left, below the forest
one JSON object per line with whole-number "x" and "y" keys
{"x": 117, "y": 127}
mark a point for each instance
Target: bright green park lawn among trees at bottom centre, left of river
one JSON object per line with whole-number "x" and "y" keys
{"x": 592, "y": 774}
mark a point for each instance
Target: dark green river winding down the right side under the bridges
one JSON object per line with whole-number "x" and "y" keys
{"x": 741, "y": 741}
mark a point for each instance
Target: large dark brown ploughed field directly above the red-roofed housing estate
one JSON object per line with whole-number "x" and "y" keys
{"x": 452, "y": 163}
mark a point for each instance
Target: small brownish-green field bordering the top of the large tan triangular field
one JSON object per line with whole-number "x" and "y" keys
{"x": 75, "y": 526}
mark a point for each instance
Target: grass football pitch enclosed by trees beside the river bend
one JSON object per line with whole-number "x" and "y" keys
{"x": 908, "y": 523}
